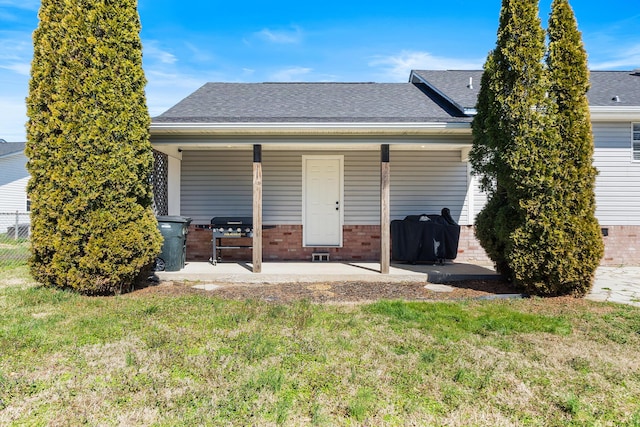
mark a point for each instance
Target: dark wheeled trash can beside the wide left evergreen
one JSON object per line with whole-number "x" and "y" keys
{"x": 174, "y": 229}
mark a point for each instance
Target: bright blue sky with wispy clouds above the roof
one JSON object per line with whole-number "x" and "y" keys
{"x": 188, "y": 43}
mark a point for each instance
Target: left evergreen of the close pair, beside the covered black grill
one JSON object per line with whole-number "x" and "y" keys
{"x": 510, "y": 135}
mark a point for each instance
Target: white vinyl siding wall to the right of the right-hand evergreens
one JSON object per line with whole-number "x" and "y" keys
{"x": 618, "y": 181}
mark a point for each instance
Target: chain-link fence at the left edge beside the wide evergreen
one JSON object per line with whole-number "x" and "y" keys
{"x": 14, "y": 239}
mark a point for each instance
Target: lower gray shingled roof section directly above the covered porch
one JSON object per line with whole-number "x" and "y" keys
{"x": 309, "y": 103}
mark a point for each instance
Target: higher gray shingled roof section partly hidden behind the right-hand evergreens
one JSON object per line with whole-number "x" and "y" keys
{"x": 605, "y": 85}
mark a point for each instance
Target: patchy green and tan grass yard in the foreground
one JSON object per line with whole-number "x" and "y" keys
{"x": 193, "y": 360}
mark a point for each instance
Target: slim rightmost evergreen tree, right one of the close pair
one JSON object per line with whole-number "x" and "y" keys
{"x": 578, "y": 231}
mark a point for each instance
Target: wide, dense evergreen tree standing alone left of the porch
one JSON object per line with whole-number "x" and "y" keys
{"x": 90, "y": 158}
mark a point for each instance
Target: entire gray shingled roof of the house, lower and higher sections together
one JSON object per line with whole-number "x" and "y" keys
{"x": 444, "y": 98}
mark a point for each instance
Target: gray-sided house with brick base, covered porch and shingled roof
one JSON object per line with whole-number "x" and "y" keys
{"x": 324, "y": 164}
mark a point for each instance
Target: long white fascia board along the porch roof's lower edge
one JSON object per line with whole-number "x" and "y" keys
{"x": 310, "y": 128}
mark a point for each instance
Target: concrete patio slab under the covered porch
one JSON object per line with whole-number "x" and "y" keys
{"x": 309, "y": 272}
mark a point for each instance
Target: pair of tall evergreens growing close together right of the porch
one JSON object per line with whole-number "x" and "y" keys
{"x": 533, "y": 150}
